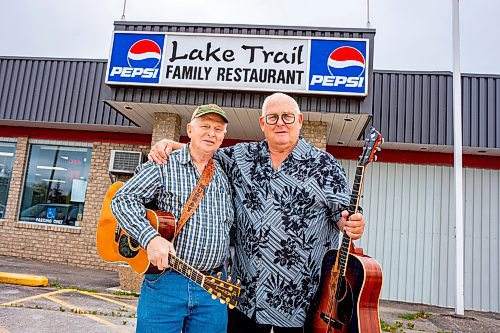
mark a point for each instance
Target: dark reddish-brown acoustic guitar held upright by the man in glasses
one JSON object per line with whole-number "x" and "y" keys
{"x": 349, "y": 291}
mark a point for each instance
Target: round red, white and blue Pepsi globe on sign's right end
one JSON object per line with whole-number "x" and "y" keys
{"x": 346, "y": 61}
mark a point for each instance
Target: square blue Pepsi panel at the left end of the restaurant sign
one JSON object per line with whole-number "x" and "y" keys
{"x": 135, "y": 58}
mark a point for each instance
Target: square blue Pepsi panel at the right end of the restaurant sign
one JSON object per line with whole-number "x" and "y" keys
{"x": 339, "y": 66}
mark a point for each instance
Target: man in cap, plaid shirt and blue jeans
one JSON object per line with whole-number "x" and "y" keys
{"x": 169, "y": 302}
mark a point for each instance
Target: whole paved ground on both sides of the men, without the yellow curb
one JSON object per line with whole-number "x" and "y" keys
{"x": 84, "y": 300}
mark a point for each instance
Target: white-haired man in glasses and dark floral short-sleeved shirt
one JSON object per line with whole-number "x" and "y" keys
{"x": 289, "y": 201}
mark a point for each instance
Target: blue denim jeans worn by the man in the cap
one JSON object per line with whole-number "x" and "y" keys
{"x": 170, "y": 302}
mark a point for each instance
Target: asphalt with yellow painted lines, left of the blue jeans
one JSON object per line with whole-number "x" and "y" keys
{"x": 35, "y": 309}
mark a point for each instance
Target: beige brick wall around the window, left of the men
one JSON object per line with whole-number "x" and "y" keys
{"x": 68, "y": 245}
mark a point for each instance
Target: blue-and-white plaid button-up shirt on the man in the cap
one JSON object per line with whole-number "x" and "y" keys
{"x": 204, "y": 240}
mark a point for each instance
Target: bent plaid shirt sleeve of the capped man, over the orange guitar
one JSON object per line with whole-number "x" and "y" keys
{"x": 128, "y": 203}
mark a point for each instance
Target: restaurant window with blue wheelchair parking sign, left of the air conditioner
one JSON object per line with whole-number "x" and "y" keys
{"x": 55, "y": 186}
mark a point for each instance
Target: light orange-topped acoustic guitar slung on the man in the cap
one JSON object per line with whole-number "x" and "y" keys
{"x": 114, "y": 245}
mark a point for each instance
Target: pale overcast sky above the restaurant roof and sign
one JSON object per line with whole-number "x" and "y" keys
{"x": 410, "y": 35}
